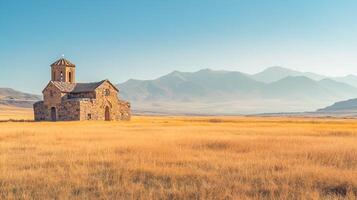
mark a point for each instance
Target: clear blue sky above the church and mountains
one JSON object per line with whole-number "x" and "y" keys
{"x": 146, "y": 39}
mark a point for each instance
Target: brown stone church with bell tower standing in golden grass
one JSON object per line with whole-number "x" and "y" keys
{"x": 66, "y": 100}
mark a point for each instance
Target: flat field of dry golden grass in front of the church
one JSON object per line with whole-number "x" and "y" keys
{"x": 180, "y": 158}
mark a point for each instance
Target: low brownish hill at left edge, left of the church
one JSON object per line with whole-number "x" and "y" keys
{"x": 13, "y": 97}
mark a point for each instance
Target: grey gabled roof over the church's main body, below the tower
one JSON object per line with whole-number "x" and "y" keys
{"x": 79, "y": 87}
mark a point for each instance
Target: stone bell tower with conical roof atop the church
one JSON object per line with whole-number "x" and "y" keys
{"x": 63, "y": 71}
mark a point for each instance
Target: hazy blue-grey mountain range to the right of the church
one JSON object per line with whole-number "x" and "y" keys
{"x": 228, "y": 92}
